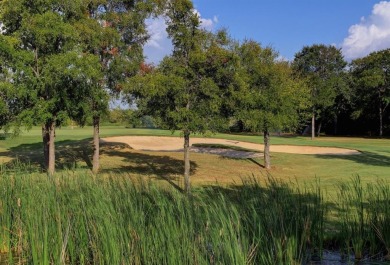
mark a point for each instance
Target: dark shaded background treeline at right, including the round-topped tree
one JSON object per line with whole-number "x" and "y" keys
{"x": 347, "y": 98}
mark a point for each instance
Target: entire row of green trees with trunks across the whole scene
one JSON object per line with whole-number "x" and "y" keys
{"x": 63, "y": 60}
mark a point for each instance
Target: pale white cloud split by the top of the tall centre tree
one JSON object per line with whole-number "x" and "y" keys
{"x": 159, "y": 45}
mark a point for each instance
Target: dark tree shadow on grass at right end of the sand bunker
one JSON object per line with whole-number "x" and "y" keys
{"x": 365, "y": 158}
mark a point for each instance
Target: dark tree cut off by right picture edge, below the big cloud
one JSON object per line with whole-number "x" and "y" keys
{"x": 372, "y": 84}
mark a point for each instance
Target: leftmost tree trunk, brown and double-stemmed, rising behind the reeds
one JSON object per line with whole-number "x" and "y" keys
{"x": 48, "y": 135}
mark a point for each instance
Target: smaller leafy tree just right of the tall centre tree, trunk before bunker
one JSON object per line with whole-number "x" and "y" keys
{"x": 271, "y": 98}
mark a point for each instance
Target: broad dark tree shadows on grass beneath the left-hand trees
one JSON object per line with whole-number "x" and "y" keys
{"x": 78, "y": 154}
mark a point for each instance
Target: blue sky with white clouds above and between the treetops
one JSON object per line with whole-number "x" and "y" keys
{"x": 356, "y": 26}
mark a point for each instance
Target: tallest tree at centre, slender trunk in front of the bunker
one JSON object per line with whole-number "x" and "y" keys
{"x": 186, "y": 91}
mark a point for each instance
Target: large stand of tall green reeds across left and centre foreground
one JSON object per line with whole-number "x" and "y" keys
{"x": 81, "y": 219}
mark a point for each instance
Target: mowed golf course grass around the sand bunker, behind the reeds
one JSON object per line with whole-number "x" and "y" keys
{"x": 72, "y": 152}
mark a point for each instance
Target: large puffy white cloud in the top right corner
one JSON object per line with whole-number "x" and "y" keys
{"x": 371, "y": 34}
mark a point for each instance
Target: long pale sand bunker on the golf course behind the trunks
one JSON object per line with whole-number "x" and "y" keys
{"x": 159, "y": 143}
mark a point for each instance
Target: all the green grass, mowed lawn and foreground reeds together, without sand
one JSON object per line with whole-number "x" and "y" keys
{"x": 134, "y": 212}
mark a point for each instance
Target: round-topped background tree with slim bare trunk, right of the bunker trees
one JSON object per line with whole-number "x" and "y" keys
{"x": 323, "y": 67}
